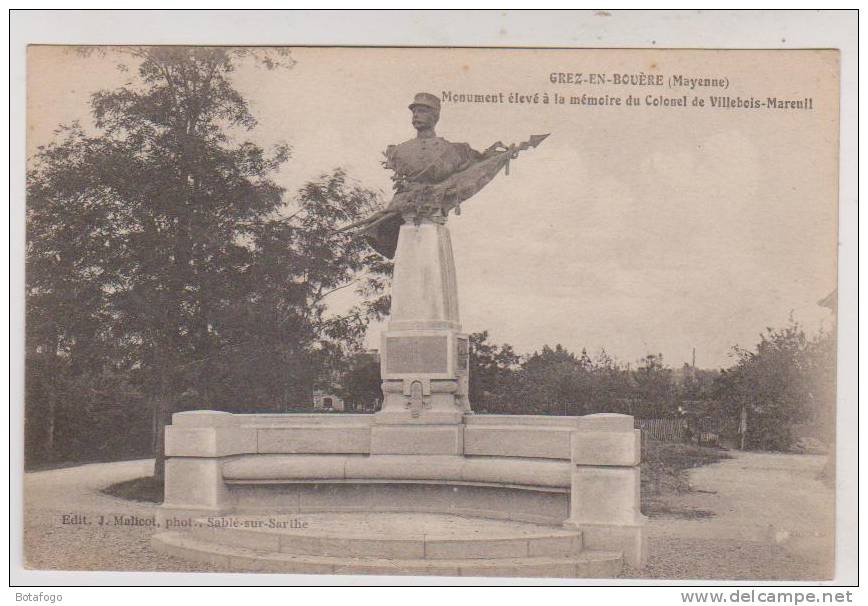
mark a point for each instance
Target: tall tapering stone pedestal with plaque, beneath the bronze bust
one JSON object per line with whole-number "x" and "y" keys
{"x": 425, "y": 356}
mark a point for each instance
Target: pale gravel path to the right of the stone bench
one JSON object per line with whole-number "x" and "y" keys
{"x": 768, "y": 516}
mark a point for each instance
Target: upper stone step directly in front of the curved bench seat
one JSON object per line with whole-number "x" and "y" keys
{"x": 390, "y": 536}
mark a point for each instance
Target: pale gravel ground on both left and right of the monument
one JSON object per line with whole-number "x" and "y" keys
{"x": 769, "y": 518}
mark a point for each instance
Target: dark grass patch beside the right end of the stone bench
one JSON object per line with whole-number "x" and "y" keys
{"x": 665, "y": 467}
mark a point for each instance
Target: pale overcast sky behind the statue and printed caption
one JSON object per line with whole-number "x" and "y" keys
{"x": 635, "y": 229}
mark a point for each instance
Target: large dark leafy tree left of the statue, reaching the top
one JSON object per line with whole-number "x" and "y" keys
{"x": 160, "y": 248}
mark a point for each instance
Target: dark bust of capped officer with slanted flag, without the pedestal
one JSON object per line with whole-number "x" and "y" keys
{"x": 432, "y": 176}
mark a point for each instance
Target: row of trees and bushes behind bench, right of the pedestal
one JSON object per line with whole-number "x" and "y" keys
{"x": 786, "y": 381}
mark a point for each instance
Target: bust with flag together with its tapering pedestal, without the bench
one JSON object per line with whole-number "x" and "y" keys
{"x": 424, "y": 354}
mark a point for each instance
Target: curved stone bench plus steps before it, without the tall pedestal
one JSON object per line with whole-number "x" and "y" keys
{"x": 549, "y": 471}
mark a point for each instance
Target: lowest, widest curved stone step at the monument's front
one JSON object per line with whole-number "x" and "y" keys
{"x": 587, "y": 564}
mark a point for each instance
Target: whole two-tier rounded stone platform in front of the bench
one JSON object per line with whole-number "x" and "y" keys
{"x": 389, "y": 544}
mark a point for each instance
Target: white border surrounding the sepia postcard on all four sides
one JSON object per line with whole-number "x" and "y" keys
{"x": 568, "y": 29}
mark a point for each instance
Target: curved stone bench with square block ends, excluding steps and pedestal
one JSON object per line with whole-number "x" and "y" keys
{"x": 580, "y": 472}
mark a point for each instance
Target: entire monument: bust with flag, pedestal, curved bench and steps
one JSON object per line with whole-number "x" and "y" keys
{"x": 498, "y": 494}
